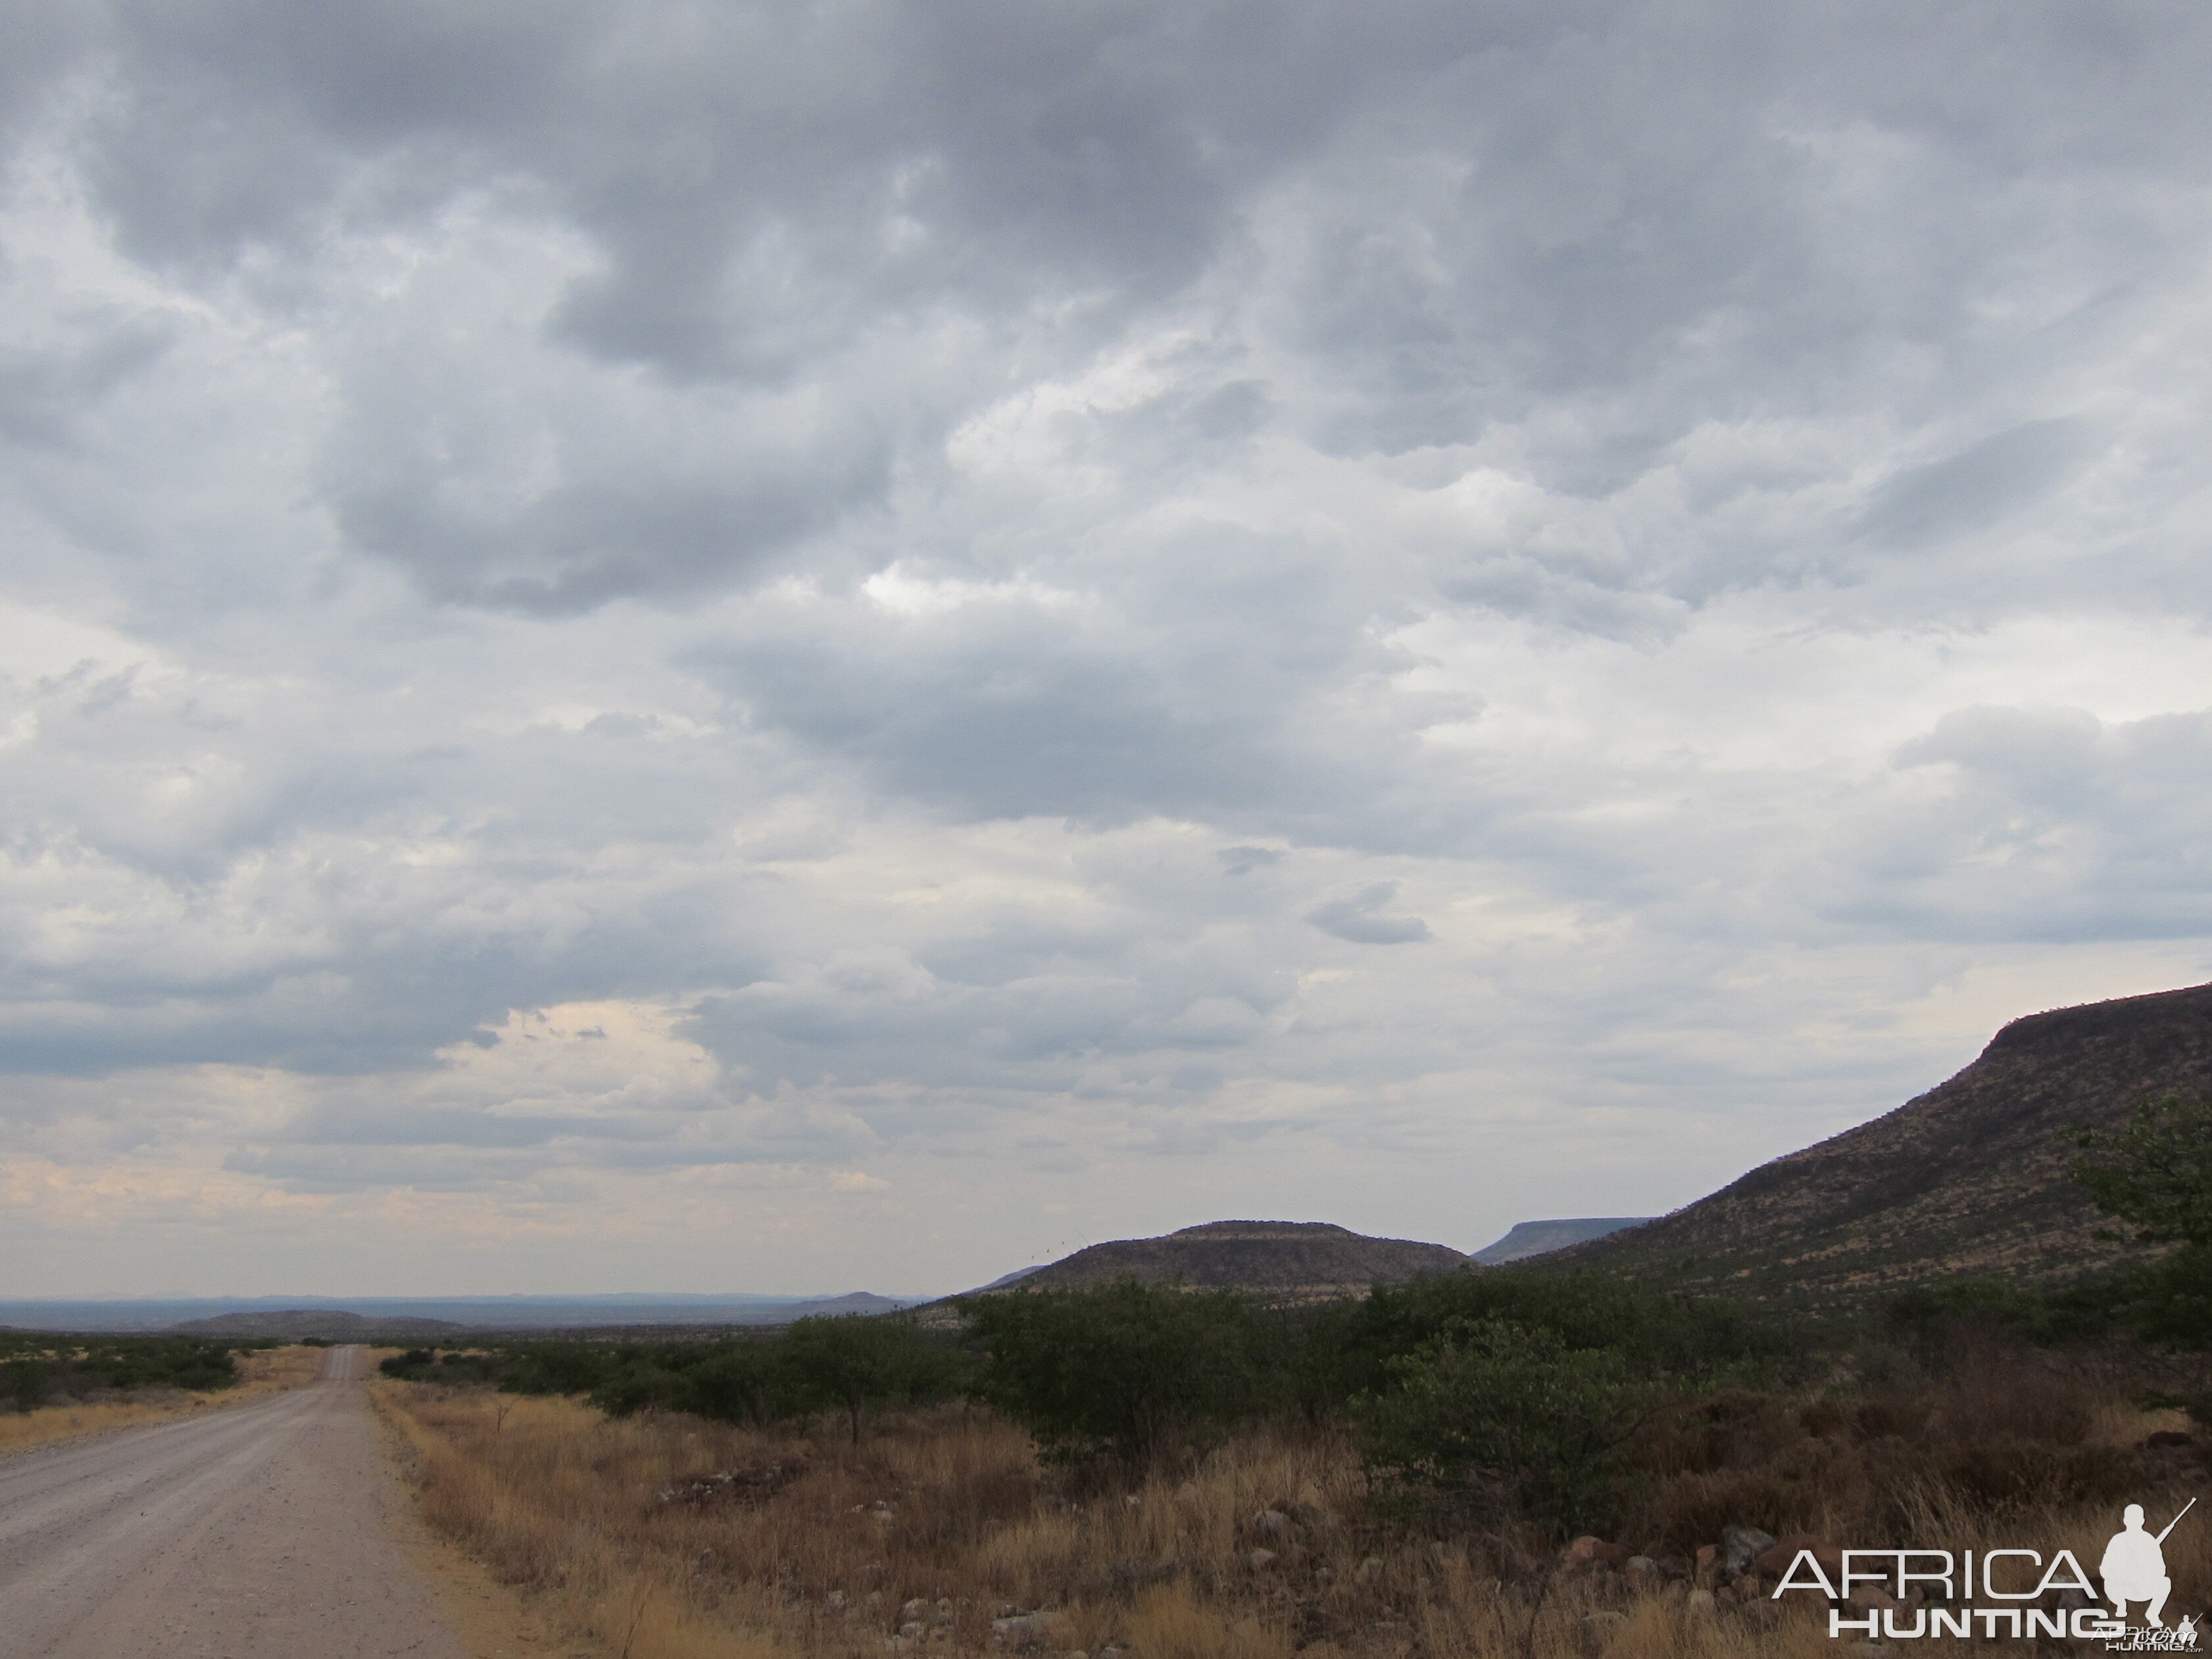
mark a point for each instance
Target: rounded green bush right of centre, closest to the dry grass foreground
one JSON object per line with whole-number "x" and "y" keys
{"x": 1501, "y": 1423}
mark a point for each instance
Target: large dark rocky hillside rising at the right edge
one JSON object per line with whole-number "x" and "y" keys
{"x": 1968, "y": 1178}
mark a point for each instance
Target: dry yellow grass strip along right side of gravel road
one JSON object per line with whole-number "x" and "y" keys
{"x": 815, "y": 1547}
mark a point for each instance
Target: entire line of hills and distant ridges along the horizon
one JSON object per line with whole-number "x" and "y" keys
{"x": 1968, "y": 1178}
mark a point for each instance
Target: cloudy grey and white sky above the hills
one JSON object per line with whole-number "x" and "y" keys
{"x": 700, "y": 647}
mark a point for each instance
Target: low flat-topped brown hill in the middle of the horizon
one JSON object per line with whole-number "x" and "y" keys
{"x": 1280, "y": 1260}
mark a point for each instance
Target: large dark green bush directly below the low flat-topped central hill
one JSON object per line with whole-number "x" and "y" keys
{"x": 1125, "y": 1370}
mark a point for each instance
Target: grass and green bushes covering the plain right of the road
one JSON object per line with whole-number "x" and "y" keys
{"x": 1485, "y": 1463}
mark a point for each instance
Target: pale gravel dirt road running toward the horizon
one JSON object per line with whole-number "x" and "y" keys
{"x": 249, "y": 1534}
